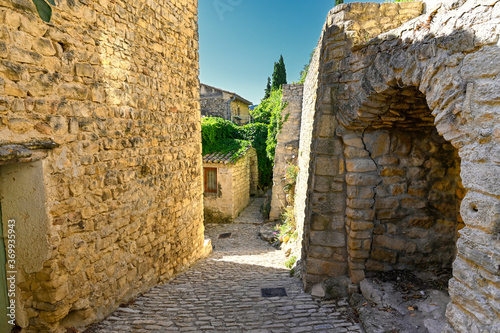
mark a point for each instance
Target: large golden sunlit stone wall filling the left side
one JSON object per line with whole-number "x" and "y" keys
{"x": 100, "y": 153}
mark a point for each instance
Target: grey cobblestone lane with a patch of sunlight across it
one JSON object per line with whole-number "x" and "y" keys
{"x": 223, "y": 294}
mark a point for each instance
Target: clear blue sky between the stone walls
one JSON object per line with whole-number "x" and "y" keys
{"x": 241, "y": 39}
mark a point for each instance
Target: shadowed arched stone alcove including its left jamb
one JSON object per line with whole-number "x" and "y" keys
{"x": 403, "y": 188}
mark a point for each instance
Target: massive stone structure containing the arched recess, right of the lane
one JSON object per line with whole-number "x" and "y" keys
{"x": 400, "y": 150}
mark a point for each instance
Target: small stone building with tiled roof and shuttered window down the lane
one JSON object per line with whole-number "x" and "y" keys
{"x": 228, "y": 184}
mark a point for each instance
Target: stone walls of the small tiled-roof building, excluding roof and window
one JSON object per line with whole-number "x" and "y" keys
{"x": 235, "y": 182}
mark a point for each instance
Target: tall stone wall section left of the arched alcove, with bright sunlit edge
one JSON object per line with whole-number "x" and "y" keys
{"x": 321, "y": 189}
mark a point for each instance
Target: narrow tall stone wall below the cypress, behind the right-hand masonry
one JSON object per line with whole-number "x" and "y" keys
{"x": 287, "y": 147}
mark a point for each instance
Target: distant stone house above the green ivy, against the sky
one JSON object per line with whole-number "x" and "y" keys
{"x": 216, "y": 102}
